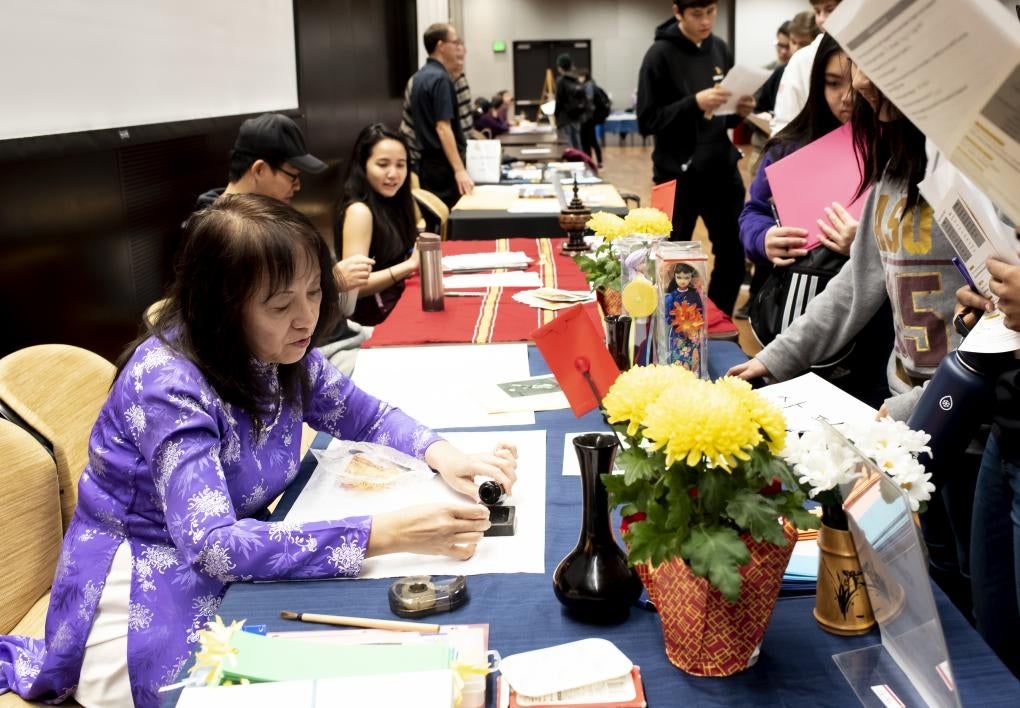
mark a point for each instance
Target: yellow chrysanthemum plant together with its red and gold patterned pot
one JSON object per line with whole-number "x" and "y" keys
{"x": 710, "y": 510}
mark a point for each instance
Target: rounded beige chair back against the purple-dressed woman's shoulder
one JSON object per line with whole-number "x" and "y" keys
{"x": 58, "y": 391}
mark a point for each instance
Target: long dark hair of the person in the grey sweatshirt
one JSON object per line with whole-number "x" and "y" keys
{"x": 892, "y": 149}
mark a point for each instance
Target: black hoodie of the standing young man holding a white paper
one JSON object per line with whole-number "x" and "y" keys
{"x": 674, "y": 71}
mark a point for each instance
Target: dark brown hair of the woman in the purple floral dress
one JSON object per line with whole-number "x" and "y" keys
{"x": 231, "y": 251}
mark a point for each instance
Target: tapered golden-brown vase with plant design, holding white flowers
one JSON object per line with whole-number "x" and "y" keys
{"x": 842, "y": 603}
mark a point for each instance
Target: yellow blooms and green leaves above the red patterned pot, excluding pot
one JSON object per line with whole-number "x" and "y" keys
{"x": 703, "y": 476}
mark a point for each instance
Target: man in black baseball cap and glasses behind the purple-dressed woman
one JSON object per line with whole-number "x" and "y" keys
{"x": 268, "y": 159}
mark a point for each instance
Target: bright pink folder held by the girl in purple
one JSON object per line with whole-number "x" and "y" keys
{"x": 806, "y": 182}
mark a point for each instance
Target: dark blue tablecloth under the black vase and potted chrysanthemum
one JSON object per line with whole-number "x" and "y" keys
{"x": 795, "y": 669}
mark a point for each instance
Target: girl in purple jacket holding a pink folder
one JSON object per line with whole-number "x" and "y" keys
{"x": 796, "y": 276}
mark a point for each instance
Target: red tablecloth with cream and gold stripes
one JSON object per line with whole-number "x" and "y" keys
{"x": 495, "y": 317}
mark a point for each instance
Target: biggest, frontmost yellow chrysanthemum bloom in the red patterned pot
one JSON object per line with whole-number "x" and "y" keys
{"x": 700, "y": 422}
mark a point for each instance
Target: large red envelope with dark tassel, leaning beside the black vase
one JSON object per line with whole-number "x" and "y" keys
{"x": 573, "y": 344}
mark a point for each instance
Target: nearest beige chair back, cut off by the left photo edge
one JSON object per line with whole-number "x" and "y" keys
{"x": 30, "y": 533}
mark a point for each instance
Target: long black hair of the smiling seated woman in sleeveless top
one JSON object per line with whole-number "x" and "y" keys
{"x": 393, "y": 218}
